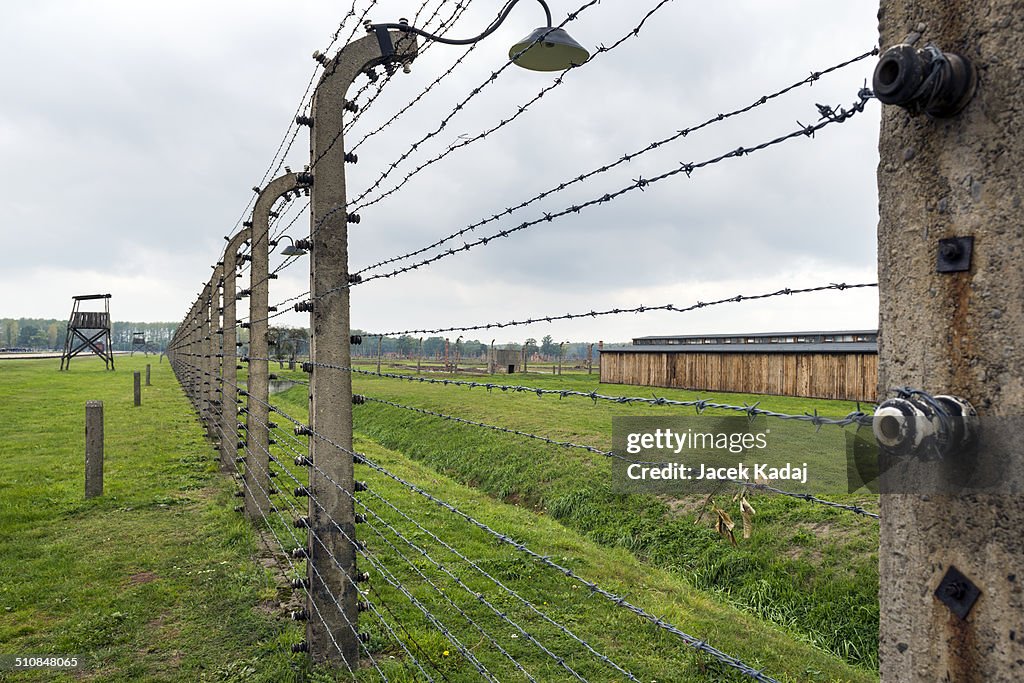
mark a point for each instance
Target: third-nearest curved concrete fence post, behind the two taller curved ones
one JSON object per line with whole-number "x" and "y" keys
{"x": 230, "y": 372}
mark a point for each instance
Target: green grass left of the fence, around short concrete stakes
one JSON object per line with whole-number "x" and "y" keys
{"x": 153, "y": 581}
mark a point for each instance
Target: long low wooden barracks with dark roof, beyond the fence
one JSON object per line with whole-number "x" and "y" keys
{"x": 819, "y": 365}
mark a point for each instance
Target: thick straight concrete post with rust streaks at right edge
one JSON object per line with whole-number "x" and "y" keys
{"x": 956, "y": 333}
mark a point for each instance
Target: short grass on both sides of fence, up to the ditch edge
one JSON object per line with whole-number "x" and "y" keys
{"x": 158, "y": 580}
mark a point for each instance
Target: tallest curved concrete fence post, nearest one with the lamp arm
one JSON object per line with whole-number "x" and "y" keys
{"x": 332, "y": 516}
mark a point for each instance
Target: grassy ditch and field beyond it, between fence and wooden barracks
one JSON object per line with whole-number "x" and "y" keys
{"x": 809, "y": 569}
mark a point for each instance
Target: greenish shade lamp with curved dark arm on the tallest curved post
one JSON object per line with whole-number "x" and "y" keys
{"x": 546, "y": 49}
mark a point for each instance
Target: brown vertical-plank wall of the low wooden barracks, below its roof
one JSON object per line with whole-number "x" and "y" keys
{"x": 843, "y": 376}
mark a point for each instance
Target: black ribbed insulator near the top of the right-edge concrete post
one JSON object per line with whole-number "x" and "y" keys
{"x": 928, "y": 80}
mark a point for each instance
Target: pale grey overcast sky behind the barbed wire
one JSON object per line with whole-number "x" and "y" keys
{"x": 132, "y": 135}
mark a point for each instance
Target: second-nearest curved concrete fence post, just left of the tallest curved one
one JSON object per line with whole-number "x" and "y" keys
{"x": 259, "y": 414}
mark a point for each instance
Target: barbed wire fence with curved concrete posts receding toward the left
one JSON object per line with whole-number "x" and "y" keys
{"x": 411, "y": 582}
